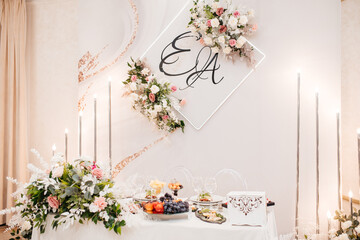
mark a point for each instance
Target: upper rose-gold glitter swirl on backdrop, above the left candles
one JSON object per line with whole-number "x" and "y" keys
{"x": 89, "y": 62}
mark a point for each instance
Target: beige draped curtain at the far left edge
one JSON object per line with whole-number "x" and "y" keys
{"x": 13, "y": 98}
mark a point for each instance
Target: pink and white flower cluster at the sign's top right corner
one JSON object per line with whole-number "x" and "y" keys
{"x": 223, "y": 28}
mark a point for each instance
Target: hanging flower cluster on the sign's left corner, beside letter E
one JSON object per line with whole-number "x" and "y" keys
{"x": 152, "y": 97}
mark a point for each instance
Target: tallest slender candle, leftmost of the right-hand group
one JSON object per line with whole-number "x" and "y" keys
{"x": 297, "y": 158}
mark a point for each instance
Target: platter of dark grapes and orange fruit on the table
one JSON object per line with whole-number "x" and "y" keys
{"x": 166, "y": 207}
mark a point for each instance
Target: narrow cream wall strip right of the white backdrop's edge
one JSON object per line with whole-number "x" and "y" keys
{"x": 350, "y": 98}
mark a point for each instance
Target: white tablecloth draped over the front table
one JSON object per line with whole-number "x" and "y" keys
{"x": 180, "y": 229}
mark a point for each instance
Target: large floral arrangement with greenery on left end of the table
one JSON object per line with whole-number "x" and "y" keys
{"x": 67, "y": 192}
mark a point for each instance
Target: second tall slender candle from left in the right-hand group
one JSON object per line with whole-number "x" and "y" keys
{"x": 317, "y": 164}
